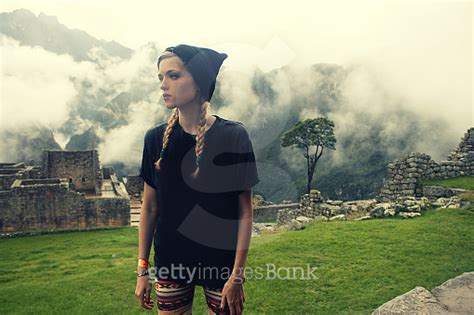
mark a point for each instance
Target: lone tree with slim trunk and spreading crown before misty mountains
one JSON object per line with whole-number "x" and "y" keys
{"x": 317, "y": 132}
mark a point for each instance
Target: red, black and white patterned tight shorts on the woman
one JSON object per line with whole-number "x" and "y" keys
{"x": 177, "y": 297}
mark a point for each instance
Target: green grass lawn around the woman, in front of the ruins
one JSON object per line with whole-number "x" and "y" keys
{"x": 361, "y": 265}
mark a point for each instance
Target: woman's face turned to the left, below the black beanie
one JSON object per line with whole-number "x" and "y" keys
{"x": 177, "y": 83}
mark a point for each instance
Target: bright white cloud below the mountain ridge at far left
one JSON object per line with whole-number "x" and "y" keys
{"x": 36, "y": 85}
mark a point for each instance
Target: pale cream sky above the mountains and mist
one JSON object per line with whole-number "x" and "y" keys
{"x": 329, "y": 31}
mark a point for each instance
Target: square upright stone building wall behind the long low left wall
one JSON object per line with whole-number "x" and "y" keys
{"x": 81, "y": 168}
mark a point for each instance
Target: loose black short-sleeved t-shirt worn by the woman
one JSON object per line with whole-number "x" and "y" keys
{"x": 197, "y": 222}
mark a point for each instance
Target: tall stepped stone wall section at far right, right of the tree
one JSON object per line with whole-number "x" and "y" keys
{"x": 403, "y": 174}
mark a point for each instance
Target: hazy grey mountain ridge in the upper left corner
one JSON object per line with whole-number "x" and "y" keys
{"x": 46, "y": 31}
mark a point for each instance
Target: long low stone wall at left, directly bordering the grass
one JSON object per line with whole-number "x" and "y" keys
{"x": 44, "y": 204}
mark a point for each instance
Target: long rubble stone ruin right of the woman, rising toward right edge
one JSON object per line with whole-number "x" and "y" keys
{"x": 400, "y": 196}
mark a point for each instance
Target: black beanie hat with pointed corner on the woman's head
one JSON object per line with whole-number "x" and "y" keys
{"x": 202, "y": 63}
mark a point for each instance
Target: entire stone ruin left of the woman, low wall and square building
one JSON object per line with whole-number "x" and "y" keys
{"x": 68, "y": 190}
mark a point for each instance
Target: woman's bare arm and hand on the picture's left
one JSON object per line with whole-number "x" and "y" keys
{"x": 146, "y": 230}
